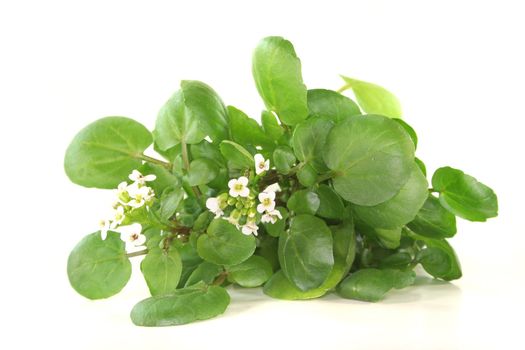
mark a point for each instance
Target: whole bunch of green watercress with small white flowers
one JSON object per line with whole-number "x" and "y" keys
{"x": 326, "y": 195}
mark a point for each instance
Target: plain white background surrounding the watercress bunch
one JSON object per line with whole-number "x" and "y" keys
{"x": 457, "y": 66}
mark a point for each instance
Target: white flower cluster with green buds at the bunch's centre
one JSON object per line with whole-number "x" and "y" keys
{"x": 241, "y": 200}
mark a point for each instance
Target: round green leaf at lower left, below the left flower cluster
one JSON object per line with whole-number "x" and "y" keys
{"x": 97, "y": 268}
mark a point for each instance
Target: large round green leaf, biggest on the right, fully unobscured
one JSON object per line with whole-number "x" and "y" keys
{"x": 372, "y": 157}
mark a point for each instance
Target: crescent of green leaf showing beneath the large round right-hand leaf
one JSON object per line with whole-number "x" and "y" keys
{"x": 400, "y": 209}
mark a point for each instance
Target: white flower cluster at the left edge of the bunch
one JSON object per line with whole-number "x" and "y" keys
{"x": 130, "y": 197}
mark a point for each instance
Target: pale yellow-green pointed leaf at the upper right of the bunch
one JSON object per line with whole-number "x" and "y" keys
{"x": 374, "y": 99}
